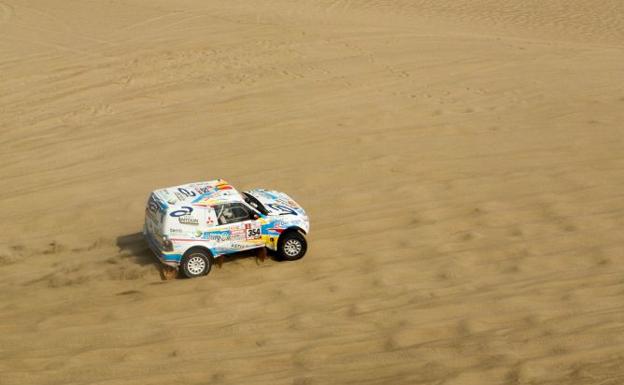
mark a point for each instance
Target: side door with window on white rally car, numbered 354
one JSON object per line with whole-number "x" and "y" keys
{"x": 242, "y": 225}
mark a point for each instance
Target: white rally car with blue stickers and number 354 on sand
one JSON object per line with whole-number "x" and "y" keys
{"x": 188, "y": 226}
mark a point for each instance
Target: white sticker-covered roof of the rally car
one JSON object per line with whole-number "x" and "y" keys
{"x": 207, "y": 193}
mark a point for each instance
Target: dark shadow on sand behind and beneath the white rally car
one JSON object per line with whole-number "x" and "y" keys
{"x": 135, "y": 246}
